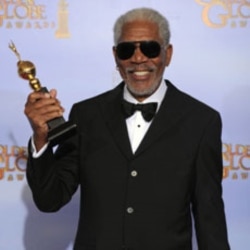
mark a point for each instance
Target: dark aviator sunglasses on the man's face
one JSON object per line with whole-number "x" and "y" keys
{"x": 150, "y": 49}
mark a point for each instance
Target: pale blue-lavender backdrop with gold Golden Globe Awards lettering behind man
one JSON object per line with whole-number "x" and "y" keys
{"x": 70, "y": 43}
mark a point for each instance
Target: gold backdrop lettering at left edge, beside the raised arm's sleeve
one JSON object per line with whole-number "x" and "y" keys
{"x": 12, "y": 162}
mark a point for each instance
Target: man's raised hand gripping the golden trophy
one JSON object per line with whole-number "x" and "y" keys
{"x": 39, "y": 109}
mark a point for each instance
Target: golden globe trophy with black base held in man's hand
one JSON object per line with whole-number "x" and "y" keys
{"x": 59, "y": 129}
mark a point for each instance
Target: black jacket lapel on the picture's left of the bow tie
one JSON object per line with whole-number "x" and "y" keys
{"x": 111, "y": 109}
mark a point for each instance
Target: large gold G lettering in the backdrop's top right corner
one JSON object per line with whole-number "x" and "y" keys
{"x": 219, "y": 13}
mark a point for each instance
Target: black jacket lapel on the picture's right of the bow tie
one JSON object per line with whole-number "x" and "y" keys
{"x": 168, "y": 115}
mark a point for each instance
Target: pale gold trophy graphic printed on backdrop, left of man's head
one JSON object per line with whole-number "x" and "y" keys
{"x": 62, "y": 16}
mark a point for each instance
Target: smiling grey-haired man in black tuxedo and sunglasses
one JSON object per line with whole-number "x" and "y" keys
{"x": 142, "y": 175}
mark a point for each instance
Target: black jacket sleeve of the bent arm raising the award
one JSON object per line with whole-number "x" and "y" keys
{"x": 54, "y": 177}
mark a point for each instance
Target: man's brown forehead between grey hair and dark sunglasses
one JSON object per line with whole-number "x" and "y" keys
{"x": 140, "y": 31}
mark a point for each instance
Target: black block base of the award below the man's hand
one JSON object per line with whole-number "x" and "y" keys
{"x": 59, "y": 130}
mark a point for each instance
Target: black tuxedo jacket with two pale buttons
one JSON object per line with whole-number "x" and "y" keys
{"x": 145, "y": 200}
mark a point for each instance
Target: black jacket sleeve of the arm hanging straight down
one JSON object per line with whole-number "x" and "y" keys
{"x": 208, "y": 206}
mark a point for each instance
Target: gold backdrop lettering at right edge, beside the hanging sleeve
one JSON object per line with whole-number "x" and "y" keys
{"x": 236, "y": 159}
